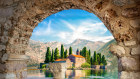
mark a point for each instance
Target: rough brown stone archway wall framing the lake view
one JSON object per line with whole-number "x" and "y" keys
{"x": 18, "y": 18}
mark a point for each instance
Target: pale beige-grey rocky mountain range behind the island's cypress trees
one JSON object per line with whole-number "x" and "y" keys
{"x": 37, "y": 50}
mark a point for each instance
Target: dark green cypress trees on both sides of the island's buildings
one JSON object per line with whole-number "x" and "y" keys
{"x": 96, "y": 59}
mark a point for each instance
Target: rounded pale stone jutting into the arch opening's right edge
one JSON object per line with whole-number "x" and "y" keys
{"x": 118, "y": 50}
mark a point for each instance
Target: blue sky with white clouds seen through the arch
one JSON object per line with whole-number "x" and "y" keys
{"x": 69, "y": 25}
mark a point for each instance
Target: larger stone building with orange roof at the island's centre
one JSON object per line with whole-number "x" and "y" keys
{"x": 77, "y": 60}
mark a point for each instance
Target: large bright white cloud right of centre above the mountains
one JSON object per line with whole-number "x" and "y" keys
{"x": 84, "y": 31}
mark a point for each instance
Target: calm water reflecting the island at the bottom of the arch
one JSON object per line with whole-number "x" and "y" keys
{"x": 73, "y": 74}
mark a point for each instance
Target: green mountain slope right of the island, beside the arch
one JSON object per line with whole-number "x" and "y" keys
{"x": 111, "y": 59}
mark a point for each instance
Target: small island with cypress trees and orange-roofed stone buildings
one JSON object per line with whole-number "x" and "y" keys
{"x": 81, "y": 60}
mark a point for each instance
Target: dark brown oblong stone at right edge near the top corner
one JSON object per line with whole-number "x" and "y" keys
{"x": 131, "y": 12}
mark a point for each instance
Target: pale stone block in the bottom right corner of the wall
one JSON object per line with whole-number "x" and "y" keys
{"x": 129, "y": 75}
